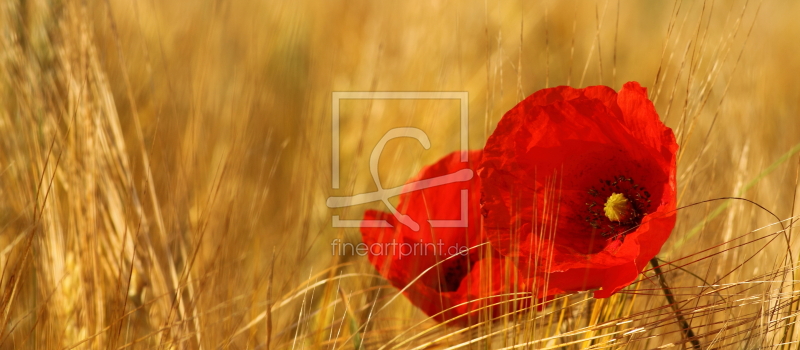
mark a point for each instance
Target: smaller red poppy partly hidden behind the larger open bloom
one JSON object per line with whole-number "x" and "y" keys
{"x": 461, "y": 278}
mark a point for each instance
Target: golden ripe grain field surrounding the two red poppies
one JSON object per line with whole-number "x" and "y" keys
{"x": 164, "y": 167}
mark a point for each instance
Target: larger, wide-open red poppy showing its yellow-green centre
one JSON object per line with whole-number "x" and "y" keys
{"x": 579, "y": 187}
